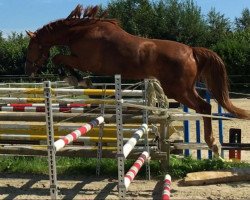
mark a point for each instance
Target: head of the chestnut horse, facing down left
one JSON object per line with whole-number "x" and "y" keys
{"x": 36, "y": 56}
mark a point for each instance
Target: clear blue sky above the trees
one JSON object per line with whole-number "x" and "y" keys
{"x": 21, "y": 15}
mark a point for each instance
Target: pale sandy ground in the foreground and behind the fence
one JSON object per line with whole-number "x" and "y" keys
{"x": 16, "y": 186}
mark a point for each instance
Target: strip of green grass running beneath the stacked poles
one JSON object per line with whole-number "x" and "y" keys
{"x": 179, "y": 167}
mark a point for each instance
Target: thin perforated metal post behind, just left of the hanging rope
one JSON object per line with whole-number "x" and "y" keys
{"x": 145, "y": 121}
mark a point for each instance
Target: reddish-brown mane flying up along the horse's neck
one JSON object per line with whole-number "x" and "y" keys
{"x": 79, "y": 17}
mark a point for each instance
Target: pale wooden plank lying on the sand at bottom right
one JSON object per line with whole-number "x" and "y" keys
{"x": 215, "y": 177}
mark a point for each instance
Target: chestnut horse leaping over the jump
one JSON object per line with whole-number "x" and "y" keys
{"x": 101, "y": 46}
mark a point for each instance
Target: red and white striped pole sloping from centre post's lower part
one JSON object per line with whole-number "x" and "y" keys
{"x": 132, "y": 172}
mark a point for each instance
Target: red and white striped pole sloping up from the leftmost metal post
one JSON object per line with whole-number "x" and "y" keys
{"x": 59, "y": 144}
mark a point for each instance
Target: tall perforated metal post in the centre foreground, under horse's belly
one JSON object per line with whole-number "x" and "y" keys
{"x": 120, "y": 155}
